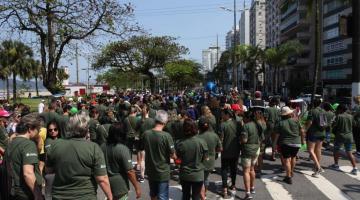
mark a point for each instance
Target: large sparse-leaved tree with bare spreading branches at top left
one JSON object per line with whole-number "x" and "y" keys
{"x": 56, "y": 23}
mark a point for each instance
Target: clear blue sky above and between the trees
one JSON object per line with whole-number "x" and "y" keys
{"x": 195, "y": 23}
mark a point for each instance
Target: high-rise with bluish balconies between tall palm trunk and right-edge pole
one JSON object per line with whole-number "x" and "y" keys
{"x": 337, "y": 51}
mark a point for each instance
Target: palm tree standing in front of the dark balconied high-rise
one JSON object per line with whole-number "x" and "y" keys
{"x": 277, "y": 58}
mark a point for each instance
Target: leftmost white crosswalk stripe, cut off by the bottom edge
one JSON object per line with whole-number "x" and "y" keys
{"x": 276, "y": 190}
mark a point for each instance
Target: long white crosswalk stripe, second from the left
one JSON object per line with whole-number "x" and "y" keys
{"x": 325, "y": 186}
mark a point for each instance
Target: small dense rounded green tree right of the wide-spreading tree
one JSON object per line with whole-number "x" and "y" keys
{"x": 183, "y": 73}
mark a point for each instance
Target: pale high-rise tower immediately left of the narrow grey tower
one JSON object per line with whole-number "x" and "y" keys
{"x": 258, "y": 23}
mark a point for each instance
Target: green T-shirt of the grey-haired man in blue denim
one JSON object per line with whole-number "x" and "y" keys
{"x": 159, "y": 146}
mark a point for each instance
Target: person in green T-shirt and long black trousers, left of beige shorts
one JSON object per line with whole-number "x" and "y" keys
{"x": 231, "y": 150}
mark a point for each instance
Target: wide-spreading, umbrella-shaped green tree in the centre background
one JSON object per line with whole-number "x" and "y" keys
{"x": 140, "y": 54}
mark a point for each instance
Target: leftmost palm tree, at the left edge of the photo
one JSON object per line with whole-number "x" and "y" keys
{"x": 17, "y": 57}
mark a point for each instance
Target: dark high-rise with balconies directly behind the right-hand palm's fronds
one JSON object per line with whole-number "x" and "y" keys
{"x": 297, "y": 24}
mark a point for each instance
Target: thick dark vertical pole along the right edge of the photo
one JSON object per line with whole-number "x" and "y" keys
{"x": 355, "y": 48}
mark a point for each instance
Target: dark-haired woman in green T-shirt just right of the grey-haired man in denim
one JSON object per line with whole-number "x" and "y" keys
{"x": 192, "y": 151}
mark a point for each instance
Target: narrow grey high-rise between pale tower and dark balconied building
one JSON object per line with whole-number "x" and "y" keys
{"x": 273, "y": 19}
